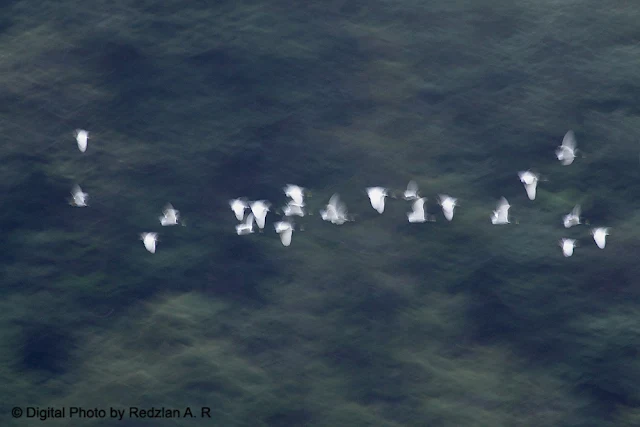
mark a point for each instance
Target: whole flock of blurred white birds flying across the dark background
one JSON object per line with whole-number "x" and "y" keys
{"x": 336, "y": 211}
